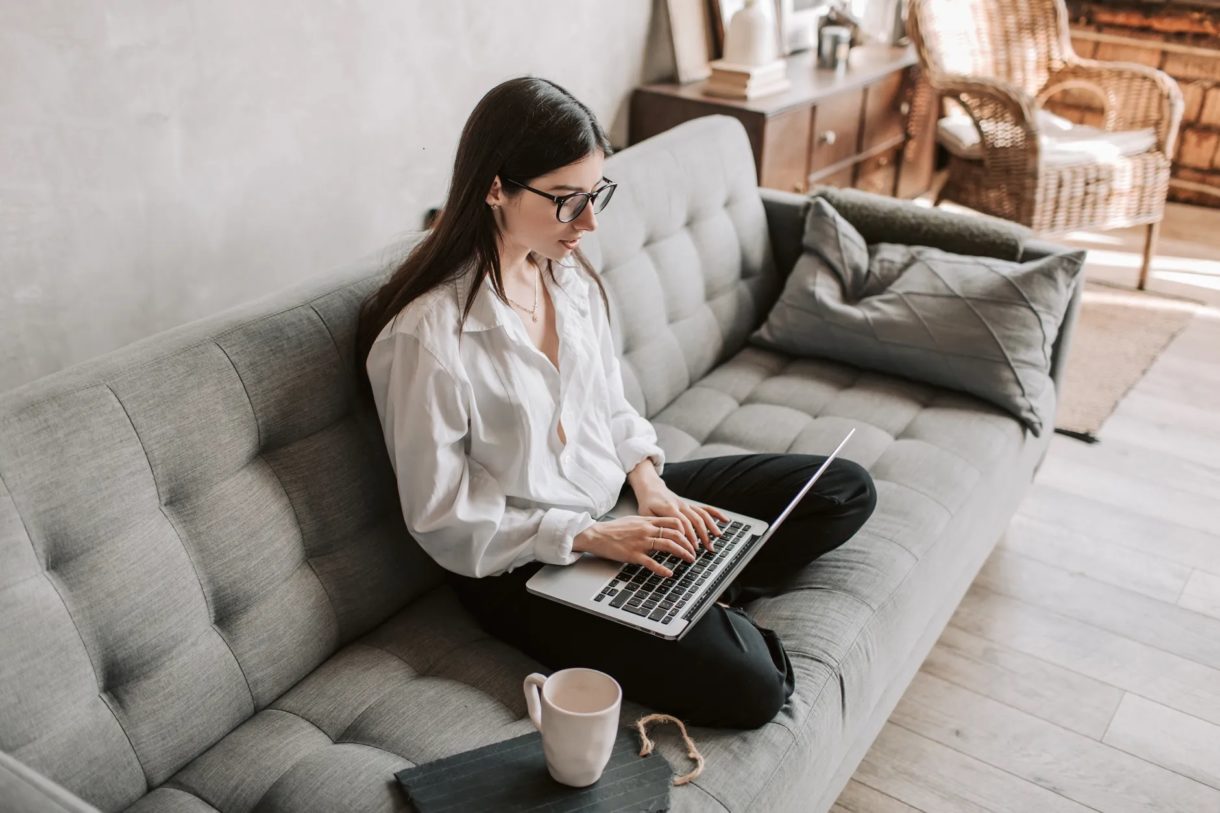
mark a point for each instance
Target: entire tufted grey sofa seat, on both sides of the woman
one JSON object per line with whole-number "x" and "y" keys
{"x": 431, "y": 683}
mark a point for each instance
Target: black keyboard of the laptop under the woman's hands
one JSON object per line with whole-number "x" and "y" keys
{"x": 640, "y": 591}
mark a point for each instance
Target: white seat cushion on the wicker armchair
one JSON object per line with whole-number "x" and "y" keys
{"x": 1063, "y": 142}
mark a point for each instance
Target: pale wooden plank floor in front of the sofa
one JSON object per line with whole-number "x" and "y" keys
{"x": 1083, "y": 670}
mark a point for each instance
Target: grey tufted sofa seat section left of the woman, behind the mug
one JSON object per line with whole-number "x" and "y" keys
{"x": 426, "y": 684}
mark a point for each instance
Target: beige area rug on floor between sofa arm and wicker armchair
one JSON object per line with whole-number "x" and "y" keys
{"x": 1119, "y": 334}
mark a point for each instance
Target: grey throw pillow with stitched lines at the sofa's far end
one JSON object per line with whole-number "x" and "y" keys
{"x": 979, "y": 325}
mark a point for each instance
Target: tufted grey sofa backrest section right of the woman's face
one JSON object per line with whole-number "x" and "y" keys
{"x": 685, "y": 256}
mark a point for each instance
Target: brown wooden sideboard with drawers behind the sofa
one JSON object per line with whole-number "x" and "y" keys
{"x": 870, "y": 126}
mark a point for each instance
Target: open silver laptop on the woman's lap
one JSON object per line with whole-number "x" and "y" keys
{"x": 637, "y": 598}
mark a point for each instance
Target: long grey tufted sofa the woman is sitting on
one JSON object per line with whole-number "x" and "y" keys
{"x": 209, "y": 599}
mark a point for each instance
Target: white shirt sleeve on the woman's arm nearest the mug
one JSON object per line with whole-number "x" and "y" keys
{"x": 454, "y": 508}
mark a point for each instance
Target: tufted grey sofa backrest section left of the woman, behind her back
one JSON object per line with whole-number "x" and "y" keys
{"x": 188, "y": 527}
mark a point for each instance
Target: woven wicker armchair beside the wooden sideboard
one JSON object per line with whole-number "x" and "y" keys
{"x": 1002, "y": 60}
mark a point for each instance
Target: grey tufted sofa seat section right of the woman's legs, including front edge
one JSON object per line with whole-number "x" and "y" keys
{"x": 950, "y": 469}
